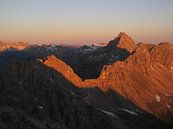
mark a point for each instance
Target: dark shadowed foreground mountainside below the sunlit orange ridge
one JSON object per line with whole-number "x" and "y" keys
{"x": 34, "y": 96}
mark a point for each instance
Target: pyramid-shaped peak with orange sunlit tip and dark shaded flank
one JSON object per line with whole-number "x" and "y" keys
{"x": 91, "y": 64}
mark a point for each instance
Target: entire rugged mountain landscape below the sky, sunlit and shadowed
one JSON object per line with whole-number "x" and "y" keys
{"x": 118, "y": 85}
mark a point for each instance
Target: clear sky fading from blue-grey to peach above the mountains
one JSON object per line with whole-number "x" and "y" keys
{"x": 85, "y": 21}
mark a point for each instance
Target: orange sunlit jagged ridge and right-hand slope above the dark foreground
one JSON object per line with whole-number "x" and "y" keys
{"x": 145, "y": 78}
